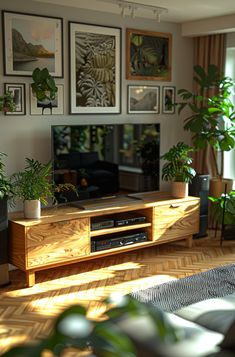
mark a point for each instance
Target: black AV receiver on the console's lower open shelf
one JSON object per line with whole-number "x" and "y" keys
{"x": 120, "y": 241}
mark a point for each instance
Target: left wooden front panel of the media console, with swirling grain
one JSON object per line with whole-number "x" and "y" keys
{"x": 57, "y": 242}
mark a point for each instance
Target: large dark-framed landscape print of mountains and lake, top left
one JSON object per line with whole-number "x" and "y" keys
{"x": 32, "y": 41}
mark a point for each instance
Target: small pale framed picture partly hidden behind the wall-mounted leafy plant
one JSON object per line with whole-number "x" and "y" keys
{"x": 46, "y": 107}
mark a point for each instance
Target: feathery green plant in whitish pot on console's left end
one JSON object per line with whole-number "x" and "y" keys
{"x": 34, "y": 186}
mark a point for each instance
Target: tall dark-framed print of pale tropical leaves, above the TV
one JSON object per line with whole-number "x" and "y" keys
{"x": 95, "y": 69}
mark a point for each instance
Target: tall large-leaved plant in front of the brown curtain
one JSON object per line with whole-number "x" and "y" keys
{"x": 212, "y": 117}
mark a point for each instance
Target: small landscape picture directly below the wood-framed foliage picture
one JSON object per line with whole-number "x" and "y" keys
{"x": 143, "y": 99}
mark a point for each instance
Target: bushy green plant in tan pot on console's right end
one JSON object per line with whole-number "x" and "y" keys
{"x": 178, "y": 168}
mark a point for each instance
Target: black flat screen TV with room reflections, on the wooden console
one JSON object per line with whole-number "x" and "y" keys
{"x": 106, "y": 160}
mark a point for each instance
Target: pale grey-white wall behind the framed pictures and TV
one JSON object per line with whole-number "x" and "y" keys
{"x": 29, "y": 136}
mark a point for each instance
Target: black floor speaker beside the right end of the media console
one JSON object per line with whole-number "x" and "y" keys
{"x": 200, "y": 188}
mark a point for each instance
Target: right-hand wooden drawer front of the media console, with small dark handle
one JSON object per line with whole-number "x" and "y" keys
{"x": 173, "y": 221}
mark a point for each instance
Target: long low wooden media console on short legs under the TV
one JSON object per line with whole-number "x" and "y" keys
{"x": 64, "y": 234}
